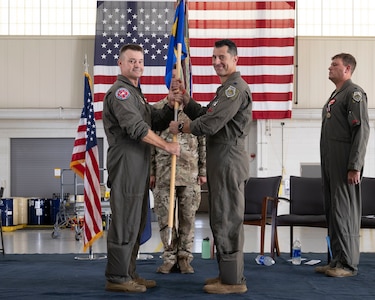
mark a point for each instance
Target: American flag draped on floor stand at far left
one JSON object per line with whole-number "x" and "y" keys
{"x": 85, "y": 163}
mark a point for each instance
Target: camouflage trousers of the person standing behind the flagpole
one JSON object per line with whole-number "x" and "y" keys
{"x": 187, "y": 202}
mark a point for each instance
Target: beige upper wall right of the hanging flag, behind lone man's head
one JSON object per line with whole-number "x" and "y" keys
{"x": 314, "y": 57}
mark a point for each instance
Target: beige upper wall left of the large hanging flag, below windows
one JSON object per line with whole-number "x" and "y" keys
{"x": 41, "y": 72}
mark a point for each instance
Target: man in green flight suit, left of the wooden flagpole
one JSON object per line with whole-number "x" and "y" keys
{"x": 128, "y": 123}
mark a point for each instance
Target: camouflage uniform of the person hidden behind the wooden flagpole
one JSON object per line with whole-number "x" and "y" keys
{"x": 190, "y": 165}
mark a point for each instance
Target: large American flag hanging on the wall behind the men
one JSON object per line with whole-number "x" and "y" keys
{"x": 263, "y": 31}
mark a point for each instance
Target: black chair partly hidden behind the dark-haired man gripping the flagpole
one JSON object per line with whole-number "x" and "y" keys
{"x": 257, "y": 211}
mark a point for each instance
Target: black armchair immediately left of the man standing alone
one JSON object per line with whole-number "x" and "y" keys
{"x": 306, "y": 207}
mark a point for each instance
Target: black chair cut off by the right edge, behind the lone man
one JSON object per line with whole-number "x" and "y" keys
{"x": 368, "y": 202}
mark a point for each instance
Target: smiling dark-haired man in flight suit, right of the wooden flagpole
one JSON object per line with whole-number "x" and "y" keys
{"x": 225, "y": 122}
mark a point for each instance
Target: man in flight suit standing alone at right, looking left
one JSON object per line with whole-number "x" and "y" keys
{"x": 344, "y": 137}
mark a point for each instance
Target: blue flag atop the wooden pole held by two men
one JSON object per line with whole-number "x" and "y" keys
{"x": 177, "y": 37}
